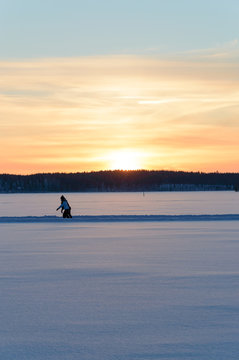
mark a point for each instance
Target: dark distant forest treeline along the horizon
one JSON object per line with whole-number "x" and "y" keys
{"x": 133, "y": 180}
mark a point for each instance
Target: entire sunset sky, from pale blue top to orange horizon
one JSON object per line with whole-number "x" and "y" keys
{"x": 97, "y": 85}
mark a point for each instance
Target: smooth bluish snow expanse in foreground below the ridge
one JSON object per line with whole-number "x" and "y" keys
{"x": 119, "y": 290}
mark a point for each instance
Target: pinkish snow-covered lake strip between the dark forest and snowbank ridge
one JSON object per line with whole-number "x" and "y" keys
{"x": 149, "y": 203}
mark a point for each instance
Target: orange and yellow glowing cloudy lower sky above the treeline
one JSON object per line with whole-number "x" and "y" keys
{"x": 90, "y": 114}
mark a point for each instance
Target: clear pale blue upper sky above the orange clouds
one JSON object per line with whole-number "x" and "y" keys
{"x": 66, "y": 28}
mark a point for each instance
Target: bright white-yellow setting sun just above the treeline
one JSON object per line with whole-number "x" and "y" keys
{"x": 125, "y": 160}
